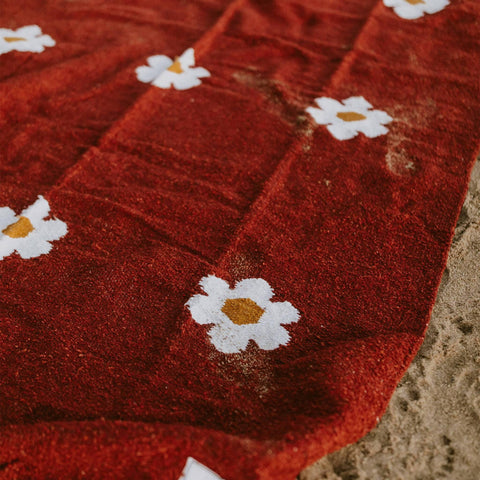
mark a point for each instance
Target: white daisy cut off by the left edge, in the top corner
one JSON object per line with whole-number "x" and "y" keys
{"x": 24, "y": 39}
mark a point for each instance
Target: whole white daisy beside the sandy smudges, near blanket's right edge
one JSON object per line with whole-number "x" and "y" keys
{"x": 347, "y": 119}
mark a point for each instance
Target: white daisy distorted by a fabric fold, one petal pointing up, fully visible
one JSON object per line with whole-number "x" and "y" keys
{"x": 163, "y": 72}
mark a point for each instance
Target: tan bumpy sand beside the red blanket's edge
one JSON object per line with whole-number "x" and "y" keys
{"x": 431, "y": 430}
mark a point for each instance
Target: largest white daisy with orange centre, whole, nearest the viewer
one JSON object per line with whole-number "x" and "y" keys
{"x": 242, "y": 314}
